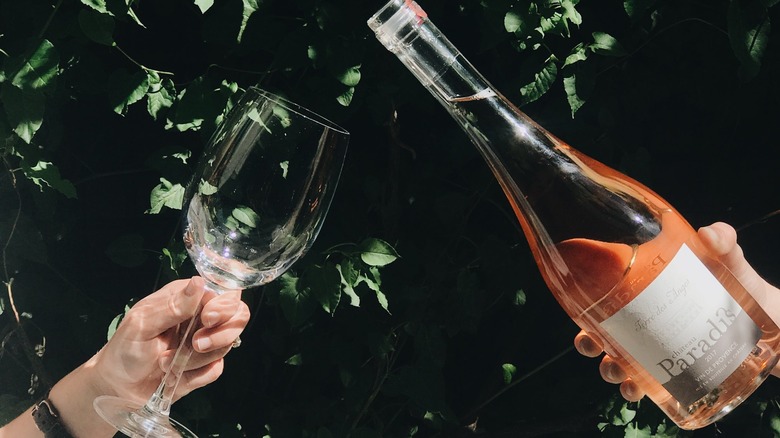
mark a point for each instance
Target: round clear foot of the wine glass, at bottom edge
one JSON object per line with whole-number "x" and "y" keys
{"x": 136, "y": 421}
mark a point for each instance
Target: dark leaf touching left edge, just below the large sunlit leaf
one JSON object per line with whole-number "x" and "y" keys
{"x": 24, "y": 109}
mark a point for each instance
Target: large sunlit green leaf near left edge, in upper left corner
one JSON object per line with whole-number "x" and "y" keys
{"x": 38, "y": 70}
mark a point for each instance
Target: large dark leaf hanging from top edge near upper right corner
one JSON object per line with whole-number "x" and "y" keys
{"x": 748, "y": 29}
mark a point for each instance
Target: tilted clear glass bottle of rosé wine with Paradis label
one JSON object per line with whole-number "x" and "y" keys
{"x": 620, "y": 260}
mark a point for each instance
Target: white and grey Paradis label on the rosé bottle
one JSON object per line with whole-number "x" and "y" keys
{"x": 685, "y": 329}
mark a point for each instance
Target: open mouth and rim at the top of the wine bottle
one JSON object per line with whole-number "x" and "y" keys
{"x": 397, "y": 22}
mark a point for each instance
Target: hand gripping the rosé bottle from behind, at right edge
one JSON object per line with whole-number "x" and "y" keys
{"x": 721, "y": 240}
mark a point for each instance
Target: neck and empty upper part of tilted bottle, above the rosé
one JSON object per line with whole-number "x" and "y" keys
{"x": 541, "y": 176}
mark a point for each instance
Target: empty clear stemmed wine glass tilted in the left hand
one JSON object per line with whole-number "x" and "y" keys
{"x": 257, "y": 201}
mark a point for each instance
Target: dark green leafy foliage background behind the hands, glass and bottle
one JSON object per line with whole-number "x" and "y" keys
{"x": 100, "y": 99}
